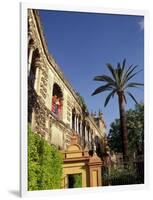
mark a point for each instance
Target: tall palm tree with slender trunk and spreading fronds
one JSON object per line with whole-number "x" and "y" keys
{"x": 119, "y": 83}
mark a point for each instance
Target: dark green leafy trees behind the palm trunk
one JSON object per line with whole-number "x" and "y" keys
{"x": 135, "y": 126}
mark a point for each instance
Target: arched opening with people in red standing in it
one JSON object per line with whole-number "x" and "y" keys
{"x": 57, "y": 101}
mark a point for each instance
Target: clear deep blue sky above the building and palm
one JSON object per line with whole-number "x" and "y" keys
{"x": 83, "y": 43}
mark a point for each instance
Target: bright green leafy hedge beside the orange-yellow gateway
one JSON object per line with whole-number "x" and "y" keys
{"x": 44, "y": 164}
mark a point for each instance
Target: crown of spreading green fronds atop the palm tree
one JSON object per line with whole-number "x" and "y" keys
{"x": 118, "y": 81}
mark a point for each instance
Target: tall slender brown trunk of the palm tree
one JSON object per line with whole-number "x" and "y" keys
{"x": 123, "y": 126}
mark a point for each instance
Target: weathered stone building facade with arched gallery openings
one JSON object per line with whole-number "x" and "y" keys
{"x": 55, "y": 110}
